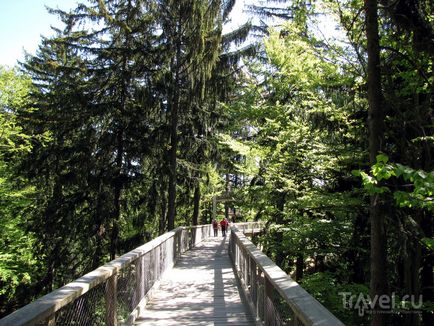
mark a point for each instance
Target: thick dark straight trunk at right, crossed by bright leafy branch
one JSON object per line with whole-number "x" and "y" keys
{"x": 376, "y": 137}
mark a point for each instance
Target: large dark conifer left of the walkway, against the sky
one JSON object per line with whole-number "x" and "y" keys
{"x": 95, "y": 102}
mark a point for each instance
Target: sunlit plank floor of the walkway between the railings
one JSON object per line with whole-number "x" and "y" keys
{"x": 200, "y": 290}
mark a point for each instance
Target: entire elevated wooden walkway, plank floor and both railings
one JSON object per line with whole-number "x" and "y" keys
{"x": 216, "y": 281}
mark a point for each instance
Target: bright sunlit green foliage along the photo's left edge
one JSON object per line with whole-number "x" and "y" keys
{"x": 17, "y": 262}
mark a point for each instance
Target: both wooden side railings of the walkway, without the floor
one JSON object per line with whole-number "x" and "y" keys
{"x": 116, "y": 293}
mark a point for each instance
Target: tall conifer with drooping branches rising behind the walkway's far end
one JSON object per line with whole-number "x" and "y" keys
{"x": 192, "y": 38}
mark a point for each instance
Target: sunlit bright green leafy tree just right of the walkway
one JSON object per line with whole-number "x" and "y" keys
{"x": 298, "y": 143}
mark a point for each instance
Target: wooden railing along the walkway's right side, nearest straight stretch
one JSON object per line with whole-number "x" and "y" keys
{"x": 274, "y": 298}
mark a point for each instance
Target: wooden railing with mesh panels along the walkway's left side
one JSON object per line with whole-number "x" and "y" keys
{"x": 113, "y": 294}
